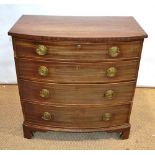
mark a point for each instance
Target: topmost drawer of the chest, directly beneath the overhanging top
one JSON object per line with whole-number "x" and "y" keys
{"x": 78, "y": 51}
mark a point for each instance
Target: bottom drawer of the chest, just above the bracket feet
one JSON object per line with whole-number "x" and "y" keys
{"x": 76, "y": 116}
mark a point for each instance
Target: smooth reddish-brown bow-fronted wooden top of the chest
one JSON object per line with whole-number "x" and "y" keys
{"x": 75, "y": 28}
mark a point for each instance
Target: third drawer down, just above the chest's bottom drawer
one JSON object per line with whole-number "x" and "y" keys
{"x": 105, "y": 94}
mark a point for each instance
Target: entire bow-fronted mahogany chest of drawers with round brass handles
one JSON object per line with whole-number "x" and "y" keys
{"x": 77, "y": 74}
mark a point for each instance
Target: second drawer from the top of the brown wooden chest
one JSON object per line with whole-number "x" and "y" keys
{"x": 77, "y": 72}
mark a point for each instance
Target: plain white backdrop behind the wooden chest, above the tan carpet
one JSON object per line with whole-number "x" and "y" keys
{"x": 142, "y": 10}
